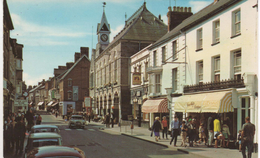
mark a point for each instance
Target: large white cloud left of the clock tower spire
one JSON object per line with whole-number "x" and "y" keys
{"x": 31, "y": 34}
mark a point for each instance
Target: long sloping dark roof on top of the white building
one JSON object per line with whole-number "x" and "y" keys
{"x": 195, "y": 19}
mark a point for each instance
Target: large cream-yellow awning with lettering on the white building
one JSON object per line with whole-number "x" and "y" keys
{"x": 216, "y": 102}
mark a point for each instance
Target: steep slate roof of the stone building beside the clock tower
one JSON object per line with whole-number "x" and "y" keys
{"x": 141, "y": 26}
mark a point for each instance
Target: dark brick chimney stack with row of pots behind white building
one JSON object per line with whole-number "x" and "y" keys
{"x": 176, "y": 16}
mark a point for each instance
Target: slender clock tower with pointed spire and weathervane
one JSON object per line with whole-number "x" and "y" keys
{"x": 103, "y": 32}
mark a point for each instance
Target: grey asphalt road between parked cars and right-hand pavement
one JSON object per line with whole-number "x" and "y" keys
{"x": 98, "y": 143}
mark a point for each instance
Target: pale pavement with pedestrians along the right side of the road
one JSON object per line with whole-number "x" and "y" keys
{"x": 145, "y": 134}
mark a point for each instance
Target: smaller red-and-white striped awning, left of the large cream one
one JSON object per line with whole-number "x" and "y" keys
{"x": 155, "y": 106}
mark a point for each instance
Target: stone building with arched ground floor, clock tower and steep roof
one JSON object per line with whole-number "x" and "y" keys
{"x": 110, "y": 68}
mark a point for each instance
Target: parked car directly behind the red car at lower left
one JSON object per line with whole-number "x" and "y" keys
{"x": 42, "y": 139}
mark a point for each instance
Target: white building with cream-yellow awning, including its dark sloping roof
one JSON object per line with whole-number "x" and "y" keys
{"x": 216, "y": 61}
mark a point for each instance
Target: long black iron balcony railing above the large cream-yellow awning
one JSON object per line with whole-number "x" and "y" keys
{"x": 224, "y": 84}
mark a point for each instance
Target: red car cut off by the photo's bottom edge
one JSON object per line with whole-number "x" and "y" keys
{"x": 56, "y": 152}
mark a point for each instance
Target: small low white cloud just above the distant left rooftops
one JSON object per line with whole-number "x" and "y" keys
{"x": 33, "y": 80}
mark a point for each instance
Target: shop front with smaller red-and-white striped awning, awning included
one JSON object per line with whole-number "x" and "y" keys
{"x": 156, "y": 107}
